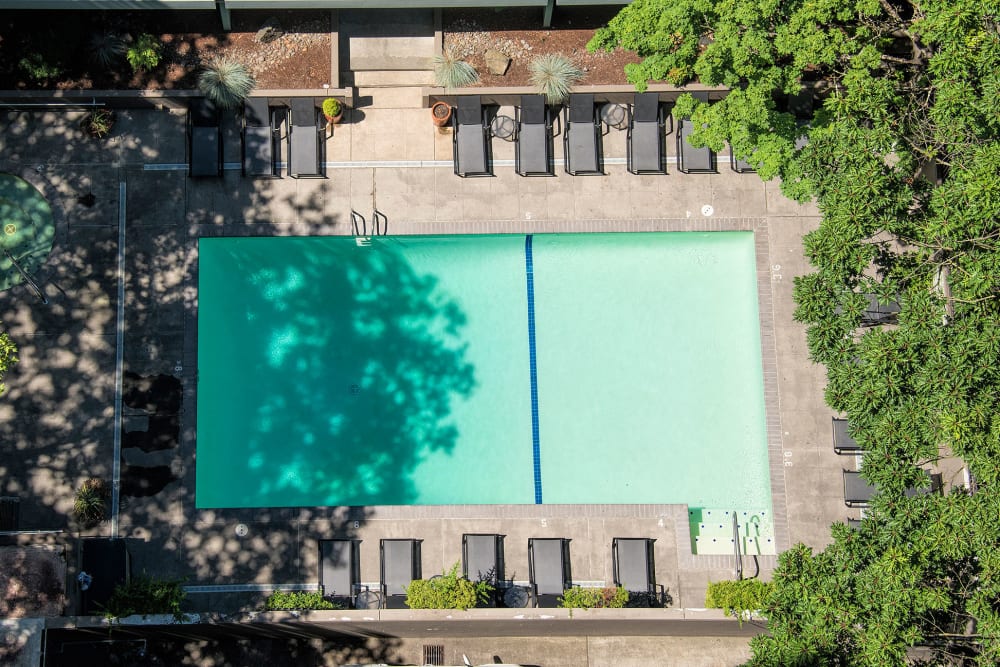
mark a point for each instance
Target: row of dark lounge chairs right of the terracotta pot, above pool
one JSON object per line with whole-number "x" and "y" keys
{"x": 582, "y": 129}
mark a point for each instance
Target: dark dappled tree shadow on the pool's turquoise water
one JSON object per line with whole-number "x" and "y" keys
{"x": 326, "y": 371}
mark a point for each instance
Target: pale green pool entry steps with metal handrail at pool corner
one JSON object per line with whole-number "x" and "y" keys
{"x": 712, "y": 532}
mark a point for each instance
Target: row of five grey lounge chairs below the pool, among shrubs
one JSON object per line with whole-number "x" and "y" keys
{"x": 549, "y": 570}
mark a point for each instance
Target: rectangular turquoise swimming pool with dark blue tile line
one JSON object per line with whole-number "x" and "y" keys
{"x": 559, "y": 368}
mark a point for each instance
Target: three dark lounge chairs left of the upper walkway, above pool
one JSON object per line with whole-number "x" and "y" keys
{"x": 260, "y": 138}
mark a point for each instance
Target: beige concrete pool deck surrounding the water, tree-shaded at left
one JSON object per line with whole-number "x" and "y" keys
{"x": 57, "y": 419}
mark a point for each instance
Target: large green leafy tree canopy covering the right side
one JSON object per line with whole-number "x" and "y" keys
{"x": 886, "y": 113}
